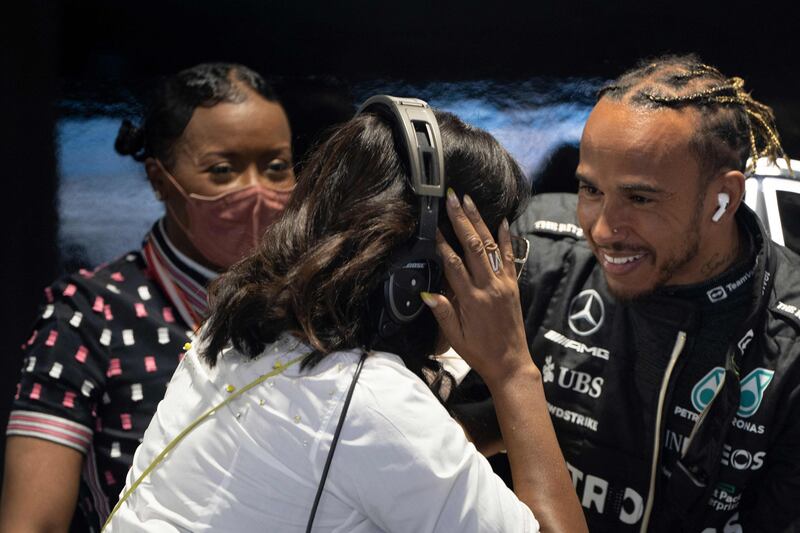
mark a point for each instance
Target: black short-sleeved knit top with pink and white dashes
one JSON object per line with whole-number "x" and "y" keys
{"x": 100, "y": 357}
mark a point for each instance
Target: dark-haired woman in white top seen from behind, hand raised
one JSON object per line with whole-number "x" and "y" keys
{"x": 240, "y": 441}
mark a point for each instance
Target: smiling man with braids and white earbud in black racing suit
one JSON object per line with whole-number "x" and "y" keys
{"x": 663, "y": 318}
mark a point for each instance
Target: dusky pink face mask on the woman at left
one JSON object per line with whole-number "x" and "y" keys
{"x": 227, "y": 227}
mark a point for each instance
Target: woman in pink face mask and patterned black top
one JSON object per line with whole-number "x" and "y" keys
{"x": 216, "y": 147}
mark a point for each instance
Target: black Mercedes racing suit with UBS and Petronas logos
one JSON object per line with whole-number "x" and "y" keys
{"x": 732, "y": 435}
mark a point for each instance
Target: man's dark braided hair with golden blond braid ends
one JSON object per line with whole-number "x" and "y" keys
{"x": 733, "y": 126}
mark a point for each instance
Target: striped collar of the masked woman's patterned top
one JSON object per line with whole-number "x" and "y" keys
{"x": 183, "y": 279}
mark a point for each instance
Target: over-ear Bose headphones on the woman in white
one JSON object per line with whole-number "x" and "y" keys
{"x": 415, "y": 267}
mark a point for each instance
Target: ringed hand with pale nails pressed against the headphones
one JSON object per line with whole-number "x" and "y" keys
{"x": 483, "y": 321}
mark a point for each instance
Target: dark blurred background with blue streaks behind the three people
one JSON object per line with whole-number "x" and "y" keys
{"x": 66, "y": 61}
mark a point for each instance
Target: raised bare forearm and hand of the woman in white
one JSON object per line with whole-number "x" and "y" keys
{"x": 483, "y": 322}
